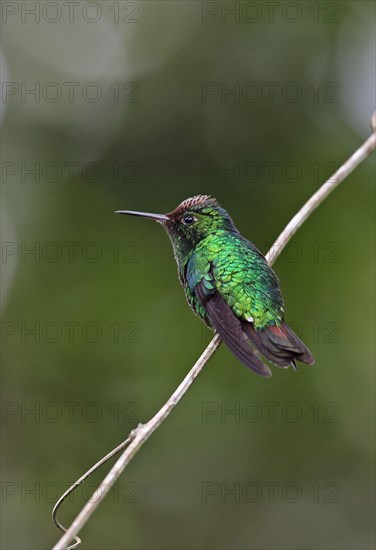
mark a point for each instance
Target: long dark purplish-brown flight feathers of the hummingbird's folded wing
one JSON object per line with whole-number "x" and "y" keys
{"x": 229, "y": 328}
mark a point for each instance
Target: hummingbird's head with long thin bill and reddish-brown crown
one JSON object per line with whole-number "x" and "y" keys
{"x": 191, "y": 221}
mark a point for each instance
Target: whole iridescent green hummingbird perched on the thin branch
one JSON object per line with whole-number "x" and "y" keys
{"x": 229, "y": 284}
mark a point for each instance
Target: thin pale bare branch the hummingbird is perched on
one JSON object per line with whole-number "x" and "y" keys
{"x": 142, "y": 433}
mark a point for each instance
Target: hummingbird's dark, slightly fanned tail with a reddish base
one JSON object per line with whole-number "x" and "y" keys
{"x": 279, "y": 344}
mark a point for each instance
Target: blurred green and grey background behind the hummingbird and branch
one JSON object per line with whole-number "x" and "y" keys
{"x": 139, "y": 105}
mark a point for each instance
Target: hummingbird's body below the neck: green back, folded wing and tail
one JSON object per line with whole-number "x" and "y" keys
{"x": 242, "y": 301}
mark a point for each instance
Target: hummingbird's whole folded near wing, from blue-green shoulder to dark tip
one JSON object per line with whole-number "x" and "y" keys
{"x": 200, "y": 280}
